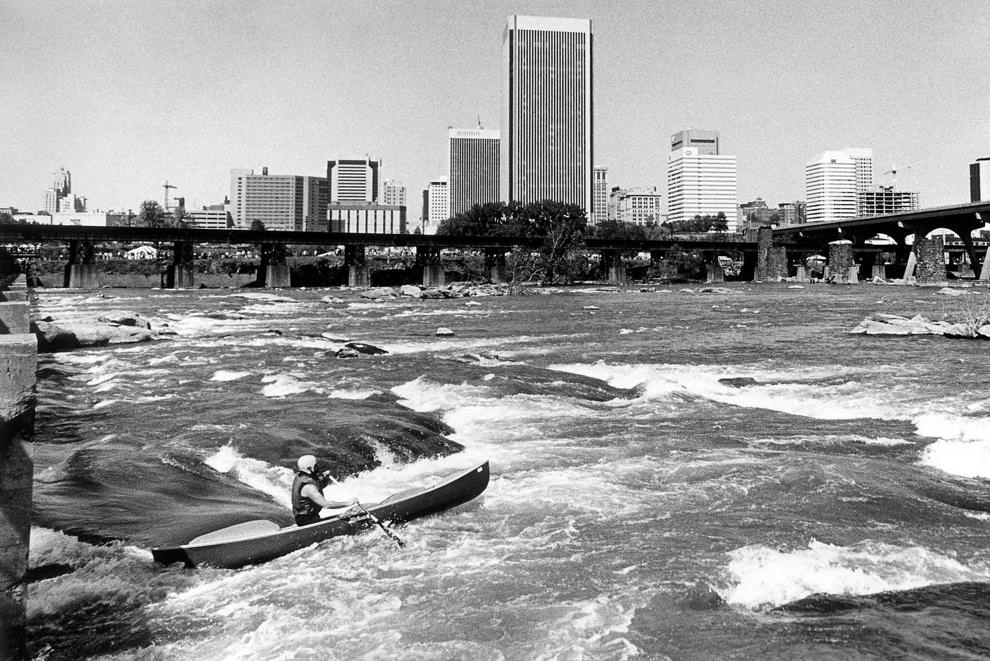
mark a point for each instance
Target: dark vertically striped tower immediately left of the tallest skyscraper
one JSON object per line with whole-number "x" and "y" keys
{"x": 473, "y": 168}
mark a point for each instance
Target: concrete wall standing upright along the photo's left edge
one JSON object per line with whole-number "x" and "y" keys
{"x": 18, "y": 368}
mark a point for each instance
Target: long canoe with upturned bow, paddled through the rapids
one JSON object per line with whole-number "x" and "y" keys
{"x": 258, "y": 541}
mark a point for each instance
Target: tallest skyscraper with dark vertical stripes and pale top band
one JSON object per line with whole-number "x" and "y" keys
{"x": 547, "y": 110}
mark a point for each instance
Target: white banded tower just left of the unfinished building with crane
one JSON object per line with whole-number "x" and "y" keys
{"x": 830, "y": 184}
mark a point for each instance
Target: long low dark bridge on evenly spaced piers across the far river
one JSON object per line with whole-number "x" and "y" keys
{"x": 81, "y": 270}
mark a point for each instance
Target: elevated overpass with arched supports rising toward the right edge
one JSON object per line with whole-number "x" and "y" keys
{"x": 927, "y": 255}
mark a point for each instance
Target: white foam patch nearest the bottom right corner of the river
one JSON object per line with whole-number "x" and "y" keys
{"x": 759, "y": 577}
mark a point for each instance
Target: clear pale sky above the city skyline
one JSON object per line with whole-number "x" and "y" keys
{"x": 129, "y": 94}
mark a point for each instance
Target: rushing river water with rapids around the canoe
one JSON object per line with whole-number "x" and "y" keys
{"x": 676, "y": 474}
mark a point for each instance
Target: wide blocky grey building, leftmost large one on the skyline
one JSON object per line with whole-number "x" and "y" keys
{"x": 281, "y": 202}
